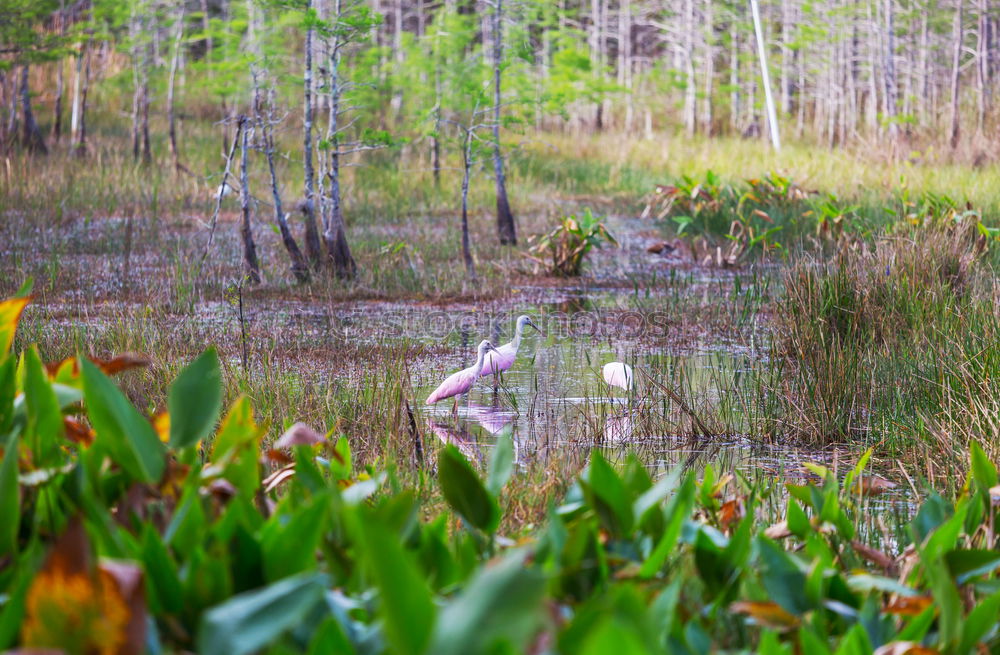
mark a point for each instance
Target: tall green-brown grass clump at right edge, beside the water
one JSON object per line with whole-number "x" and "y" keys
{"x": 894, "y": 340}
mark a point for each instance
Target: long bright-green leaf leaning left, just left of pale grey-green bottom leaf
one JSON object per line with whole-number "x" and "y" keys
{"x": 406, "y": 607}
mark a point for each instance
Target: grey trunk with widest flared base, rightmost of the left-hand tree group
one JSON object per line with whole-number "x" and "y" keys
{"x": 334, "y": 233}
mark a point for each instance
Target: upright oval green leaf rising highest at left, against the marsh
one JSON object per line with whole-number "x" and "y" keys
{"x": 194, "y": 400}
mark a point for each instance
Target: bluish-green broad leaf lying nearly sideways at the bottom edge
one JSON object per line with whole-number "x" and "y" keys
{"x": 248, "y": 622}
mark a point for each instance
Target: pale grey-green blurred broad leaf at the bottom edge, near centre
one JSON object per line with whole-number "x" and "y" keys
{"x": 501, "y": 605}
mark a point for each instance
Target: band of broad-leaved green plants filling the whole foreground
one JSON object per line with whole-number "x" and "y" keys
{"x": 178, "y": 532}
